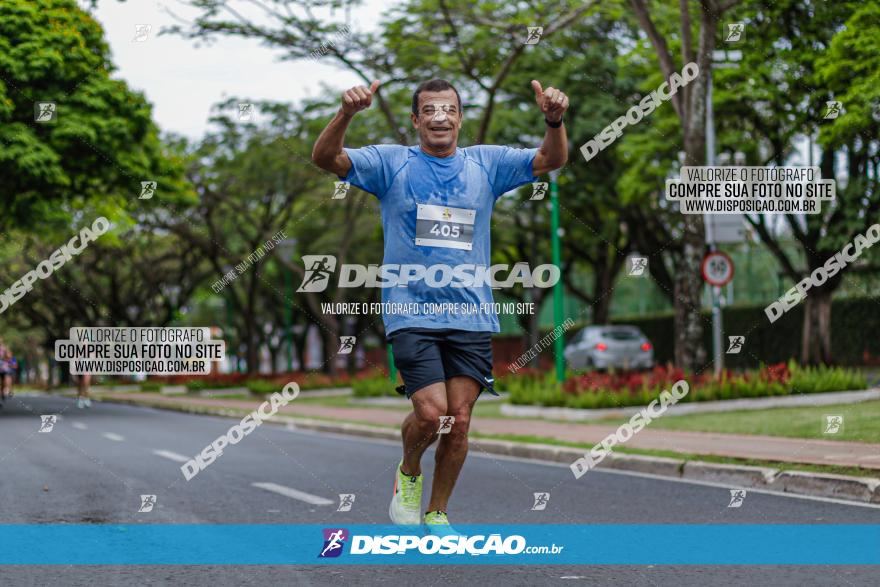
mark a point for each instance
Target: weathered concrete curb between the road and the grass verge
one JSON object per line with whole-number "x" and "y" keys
{"x": 843, "y": 487}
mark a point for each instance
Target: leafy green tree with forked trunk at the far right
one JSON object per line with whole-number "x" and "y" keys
{"x": 804, "y": 54}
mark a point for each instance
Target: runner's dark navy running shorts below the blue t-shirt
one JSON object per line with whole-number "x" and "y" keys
{"x": 425, "y": 356}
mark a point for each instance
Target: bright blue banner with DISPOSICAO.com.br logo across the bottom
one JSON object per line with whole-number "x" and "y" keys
{"x": 282, "y": 544}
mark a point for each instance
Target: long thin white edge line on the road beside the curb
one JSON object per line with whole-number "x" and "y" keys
{"x": 362, "y": 439}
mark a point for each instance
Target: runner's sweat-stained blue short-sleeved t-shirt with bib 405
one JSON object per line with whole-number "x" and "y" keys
{"x": 437, "y": 211}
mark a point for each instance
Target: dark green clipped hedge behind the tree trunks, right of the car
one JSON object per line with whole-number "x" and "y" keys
{"x": 852, "y": 333}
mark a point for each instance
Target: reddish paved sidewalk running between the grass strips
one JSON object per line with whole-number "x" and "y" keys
{"x": 767, "y": 448}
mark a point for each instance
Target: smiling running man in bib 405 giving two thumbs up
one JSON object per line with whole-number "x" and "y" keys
{"x": 436, "y": 204}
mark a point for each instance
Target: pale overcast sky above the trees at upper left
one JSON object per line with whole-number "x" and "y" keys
{"x": 183, "y": 81}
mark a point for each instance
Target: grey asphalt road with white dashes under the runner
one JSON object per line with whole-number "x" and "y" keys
{"x": 95, "y": 464}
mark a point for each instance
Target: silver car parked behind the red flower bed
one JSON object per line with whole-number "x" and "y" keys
{"x": 603, "y": 347}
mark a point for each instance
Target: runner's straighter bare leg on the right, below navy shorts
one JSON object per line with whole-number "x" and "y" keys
{"x": 462, "y": 394}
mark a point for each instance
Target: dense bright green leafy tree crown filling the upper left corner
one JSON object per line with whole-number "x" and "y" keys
{"x": 101, "y": 143}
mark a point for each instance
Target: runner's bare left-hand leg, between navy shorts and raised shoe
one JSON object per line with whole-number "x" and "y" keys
{"x": 420, "y": 427}
